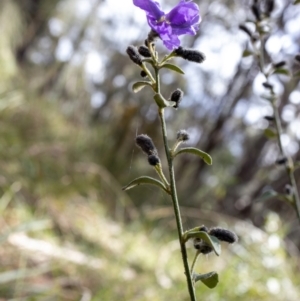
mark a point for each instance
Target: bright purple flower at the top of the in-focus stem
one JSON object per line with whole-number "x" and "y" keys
{"x": 184, "y": 18}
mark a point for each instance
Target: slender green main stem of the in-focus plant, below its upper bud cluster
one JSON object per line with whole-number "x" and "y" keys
{"x": 176, "y": 207}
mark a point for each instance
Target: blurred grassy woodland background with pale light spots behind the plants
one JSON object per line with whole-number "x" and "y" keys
{"x": 68, "y": 119}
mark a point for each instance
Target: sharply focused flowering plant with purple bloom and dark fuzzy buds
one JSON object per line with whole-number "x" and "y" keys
{"x": 182, "y": 19}
